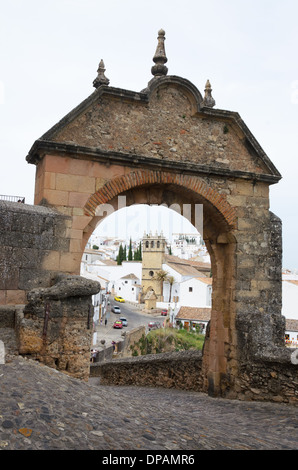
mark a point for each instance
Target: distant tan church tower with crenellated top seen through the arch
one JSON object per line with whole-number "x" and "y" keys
{"x": 153, "y": 252}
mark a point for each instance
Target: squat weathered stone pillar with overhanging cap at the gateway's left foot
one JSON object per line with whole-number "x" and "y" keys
{"x": 56, "y": 325}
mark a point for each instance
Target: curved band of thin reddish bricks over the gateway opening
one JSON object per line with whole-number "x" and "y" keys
{"x": 137, "y": 178}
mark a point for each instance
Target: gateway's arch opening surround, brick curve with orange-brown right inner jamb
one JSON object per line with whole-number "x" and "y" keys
{"x": 219, "y": 225}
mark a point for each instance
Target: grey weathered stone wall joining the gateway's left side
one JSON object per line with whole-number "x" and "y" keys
{"x": 32, "y": 240}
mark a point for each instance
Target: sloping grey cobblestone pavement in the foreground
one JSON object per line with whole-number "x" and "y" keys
{"x": 42, "y": 409}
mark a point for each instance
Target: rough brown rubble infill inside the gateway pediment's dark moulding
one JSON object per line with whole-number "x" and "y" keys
{"x": 164, "y": 128}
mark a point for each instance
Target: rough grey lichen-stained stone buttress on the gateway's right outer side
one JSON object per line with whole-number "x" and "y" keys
{"x": 260, "y": 325}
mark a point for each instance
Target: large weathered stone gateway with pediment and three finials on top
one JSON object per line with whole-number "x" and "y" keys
{"x": 168, "y": 145}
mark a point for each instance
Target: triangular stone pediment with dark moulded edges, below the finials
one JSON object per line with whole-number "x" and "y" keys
{"x": 165, "y": 125}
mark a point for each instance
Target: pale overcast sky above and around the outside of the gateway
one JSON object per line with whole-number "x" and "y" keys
{"x": 50, "y": 52}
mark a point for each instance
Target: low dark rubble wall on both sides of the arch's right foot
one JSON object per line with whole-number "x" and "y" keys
{"x": 258, "y": 380}
